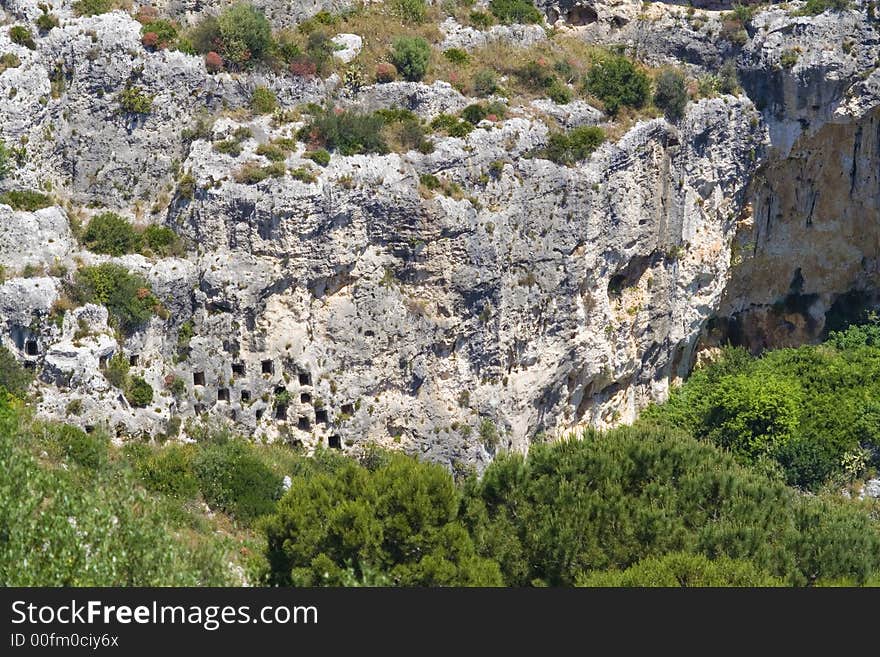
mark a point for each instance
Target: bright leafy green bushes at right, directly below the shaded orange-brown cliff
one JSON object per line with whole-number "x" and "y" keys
{"x": 804, "y": 409}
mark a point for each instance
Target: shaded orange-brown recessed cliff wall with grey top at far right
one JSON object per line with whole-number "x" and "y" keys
{"x": 807, "y": 259}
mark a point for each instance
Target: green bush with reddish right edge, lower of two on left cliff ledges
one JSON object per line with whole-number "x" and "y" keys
{"x": 127, "y": 296}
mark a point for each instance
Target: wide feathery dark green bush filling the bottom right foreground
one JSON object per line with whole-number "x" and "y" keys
{"x": 611, "y": 500}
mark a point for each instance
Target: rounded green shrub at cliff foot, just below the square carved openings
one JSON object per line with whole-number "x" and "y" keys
{"x": 232, "y": 478}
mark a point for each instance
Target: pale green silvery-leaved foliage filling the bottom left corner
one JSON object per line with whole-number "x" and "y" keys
{"x": 63, "y": 528}
